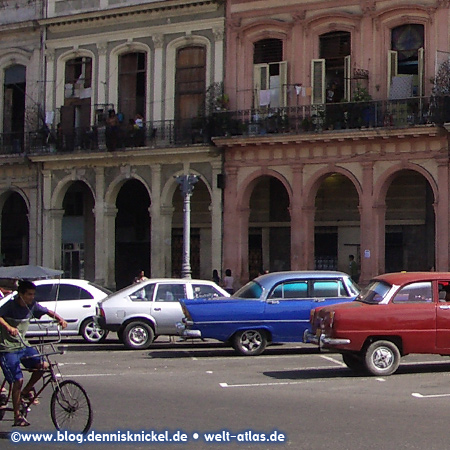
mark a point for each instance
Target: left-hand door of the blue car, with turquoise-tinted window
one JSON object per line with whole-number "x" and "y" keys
{"x": 287, "y": 310}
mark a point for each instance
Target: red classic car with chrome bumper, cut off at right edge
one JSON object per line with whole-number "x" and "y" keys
{"x": 395, "y": 315}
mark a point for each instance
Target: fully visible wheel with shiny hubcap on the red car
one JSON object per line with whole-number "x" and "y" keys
{"x": 382, "y": 358}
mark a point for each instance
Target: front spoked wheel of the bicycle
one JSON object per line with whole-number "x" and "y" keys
{"x": 70, "y": 407}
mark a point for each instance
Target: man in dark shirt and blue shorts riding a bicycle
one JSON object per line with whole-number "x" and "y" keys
{"x": 15, "y": 316}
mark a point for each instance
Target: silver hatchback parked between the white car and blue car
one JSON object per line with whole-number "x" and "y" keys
{"x": 145, "y": 310}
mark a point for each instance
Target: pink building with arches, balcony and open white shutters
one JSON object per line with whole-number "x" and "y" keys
{"x": 337, "y": 141}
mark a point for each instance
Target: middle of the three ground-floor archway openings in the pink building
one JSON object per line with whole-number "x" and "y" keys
{"x": 337, "y": 224}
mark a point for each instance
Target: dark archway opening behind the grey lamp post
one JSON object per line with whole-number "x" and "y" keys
{"x": 201, "y": 239}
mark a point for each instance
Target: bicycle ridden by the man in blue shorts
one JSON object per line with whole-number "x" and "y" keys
{"x": 70, "y": 407}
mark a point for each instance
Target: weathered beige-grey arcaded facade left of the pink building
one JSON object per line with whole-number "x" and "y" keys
{"x": 121, "y": 87}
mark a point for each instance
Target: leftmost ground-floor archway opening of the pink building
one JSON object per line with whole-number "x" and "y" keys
{"x": 269, "y": 233}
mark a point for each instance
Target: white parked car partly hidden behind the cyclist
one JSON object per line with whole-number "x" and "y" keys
{"x": 75, "y": 301}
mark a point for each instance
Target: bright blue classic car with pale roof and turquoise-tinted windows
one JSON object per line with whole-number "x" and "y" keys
{"x": 272, "y": 308}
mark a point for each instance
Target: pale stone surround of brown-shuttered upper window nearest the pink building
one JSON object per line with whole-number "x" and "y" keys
{"x": 170, "y": 67}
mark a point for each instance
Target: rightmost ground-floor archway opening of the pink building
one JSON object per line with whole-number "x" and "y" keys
{"x": 410, "y": 223}
